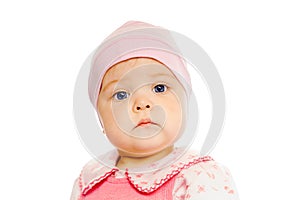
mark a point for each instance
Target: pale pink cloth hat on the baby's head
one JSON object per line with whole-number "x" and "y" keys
{"x": 135, "y": 39}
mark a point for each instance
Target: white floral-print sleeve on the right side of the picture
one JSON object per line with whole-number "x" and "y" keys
{"x": 205, "y": 181}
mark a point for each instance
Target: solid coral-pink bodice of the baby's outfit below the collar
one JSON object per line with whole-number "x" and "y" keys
{"x": 121, "y": 189}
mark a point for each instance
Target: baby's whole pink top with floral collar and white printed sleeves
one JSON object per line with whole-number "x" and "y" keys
{"x": 189, "y": 177}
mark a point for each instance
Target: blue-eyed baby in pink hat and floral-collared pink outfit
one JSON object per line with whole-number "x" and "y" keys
{"x": 141, "y": 98}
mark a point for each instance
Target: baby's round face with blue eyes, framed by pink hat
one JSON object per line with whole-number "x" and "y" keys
{"x": 141, "y": 106}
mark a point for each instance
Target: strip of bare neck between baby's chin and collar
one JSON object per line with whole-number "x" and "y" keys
{"x": 133, "y": 162}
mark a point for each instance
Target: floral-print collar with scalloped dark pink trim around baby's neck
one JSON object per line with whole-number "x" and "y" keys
{"x": 155, "y": 174}
